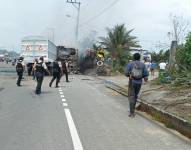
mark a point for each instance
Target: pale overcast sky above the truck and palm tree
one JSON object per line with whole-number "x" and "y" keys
{"x": 150, "y": 19}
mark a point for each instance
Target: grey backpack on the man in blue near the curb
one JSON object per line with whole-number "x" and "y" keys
{"x": 136, "y": 72}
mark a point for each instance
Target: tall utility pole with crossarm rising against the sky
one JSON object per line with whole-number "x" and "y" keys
{"x": 77, "y": 6}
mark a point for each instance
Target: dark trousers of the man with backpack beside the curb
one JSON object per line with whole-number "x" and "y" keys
{"x": 133, "y": 92}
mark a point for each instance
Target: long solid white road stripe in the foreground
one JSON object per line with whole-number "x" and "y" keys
{"x": 73, "y": 131}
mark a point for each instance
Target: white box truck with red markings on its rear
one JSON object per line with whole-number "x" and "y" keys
{"x": 33, "y": 47}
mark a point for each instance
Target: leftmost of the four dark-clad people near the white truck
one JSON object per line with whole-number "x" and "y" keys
{"x": 20, "y": 67}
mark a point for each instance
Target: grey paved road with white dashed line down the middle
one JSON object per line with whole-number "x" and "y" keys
{"x": 81, "y": 115}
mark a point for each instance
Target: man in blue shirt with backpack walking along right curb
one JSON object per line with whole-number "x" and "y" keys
{"x": 136, "y": 71}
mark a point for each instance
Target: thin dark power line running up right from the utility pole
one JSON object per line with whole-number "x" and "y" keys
{"x": 100, "y": 13}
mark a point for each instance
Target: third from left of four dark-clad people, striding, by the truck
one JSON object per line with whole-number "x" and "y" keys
{"x": 56, "y": 73}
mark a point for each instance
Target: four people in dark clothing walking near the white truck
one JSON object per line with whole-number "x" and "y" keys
{"x": 39, "y": 69}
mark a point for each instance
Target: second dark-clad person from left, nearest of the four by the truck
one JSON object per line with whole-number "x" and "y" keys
{"x": 40, "y": 68}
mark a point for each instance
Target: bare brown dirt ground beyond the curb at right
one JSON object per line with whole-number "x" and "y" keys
{"x": 173, "y": 100}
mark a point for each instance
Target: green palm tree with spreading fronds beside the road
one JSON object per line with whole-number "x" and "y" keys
{"x": 118, "y": 42}
